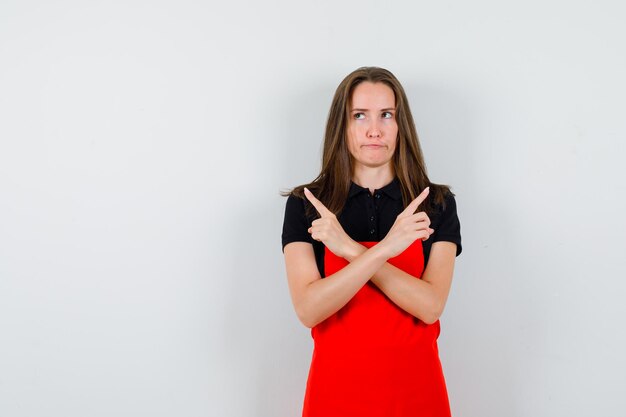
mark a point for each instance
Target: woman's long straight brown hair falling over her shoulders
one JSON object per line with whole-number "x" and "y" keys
{"x": 332, "y": 184}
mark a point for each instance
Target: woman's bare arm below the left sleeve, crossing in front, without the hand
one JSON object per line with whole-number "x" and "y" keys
{"x": 316, "y": 299}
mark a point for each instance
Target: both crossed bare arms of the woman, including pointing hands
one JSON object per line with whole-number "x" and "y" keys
{"x": 316, "y": 299}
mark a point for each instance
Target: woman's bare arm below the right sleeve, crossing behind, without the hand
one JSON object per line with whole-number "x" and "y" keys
{"x": 423, "y": 298}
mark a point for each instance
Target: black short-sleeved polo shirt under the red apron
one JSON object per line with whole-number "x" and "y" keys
{"x": 368, "y": 217}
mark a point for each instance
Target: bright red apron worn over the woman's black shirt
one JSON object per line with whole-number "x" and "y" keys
{"x": 372, "y": 358}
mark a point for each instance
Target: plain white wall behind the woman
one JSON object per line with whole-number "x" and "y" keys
{"x": 143, "y": 146}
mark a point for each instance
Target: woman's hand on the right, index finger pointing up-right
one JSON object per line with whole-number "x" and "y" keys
{"x": 408, "y": 227}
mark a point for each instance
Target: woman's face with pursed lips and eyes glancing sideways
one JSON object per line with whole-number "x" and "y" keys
{"x": 372, "y": 127}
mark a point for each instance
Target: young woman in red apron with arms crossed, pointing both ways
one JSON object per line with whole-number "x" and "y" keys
{"x": 369, "y": 248}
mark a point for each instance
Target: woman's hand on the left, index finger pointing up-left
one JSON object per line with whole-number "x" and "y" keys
{"x": 327, "y": 230}
